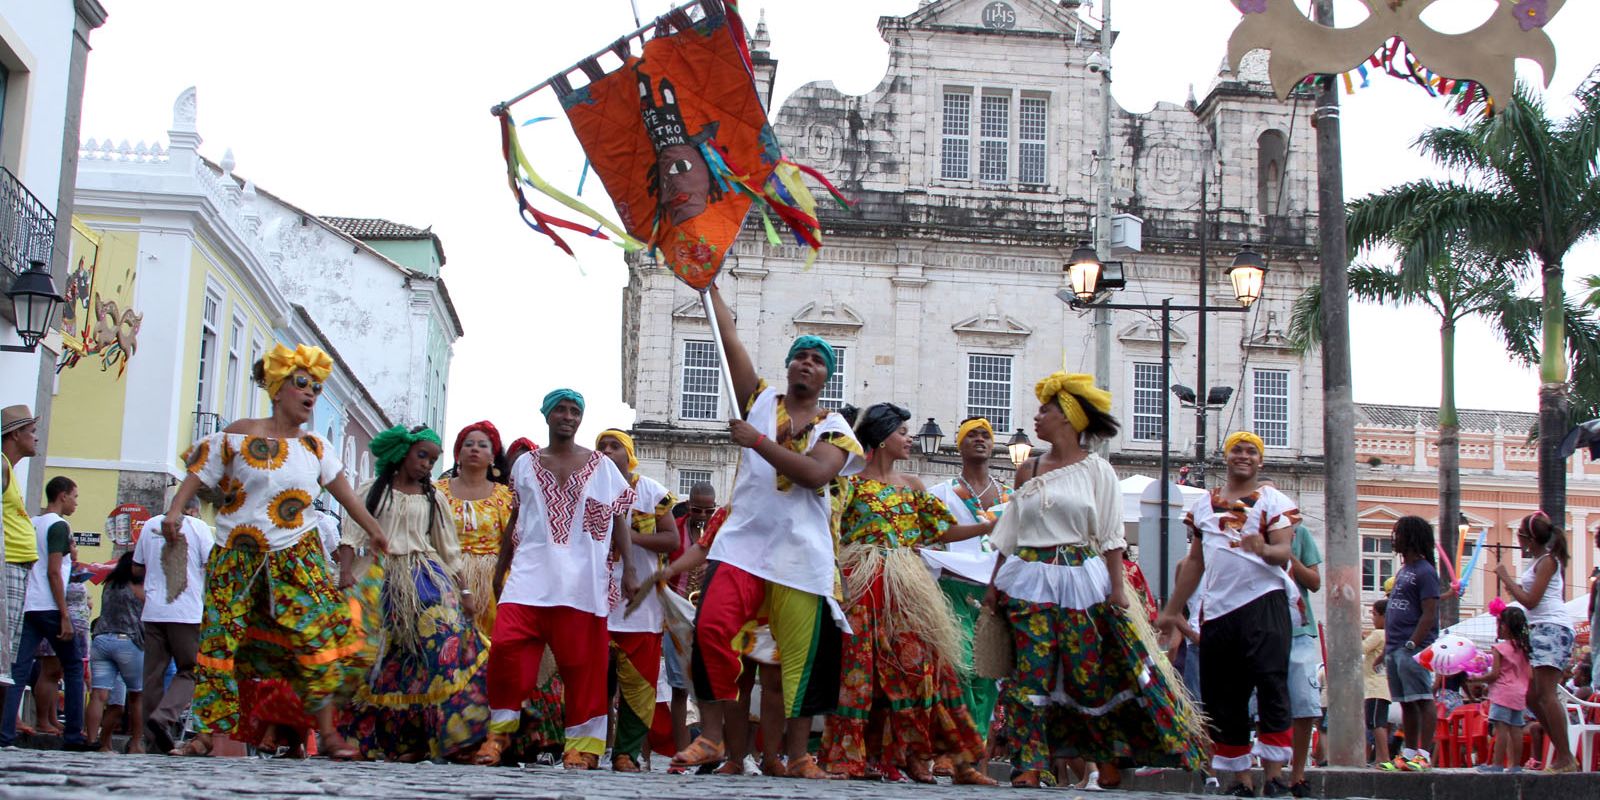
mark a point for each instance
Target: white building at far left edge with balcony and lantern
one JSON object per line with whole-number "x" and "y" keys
{"x": 44, "y": 57}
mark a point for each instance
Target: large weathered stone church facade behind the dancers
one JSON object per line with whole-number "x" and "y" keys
{"x": 974, "y": 166}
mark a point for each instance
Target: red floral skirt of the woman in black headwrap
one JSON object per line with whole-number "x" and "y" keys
{"x": 898, "y": 702}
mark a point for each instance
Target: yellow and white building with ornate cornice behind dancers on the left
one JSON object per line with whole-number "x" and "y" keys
{"x": 183, "y": 278}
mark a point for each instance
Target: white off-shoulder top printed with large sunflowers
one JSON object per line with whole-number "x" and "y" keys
{"x": 266, "y": 486}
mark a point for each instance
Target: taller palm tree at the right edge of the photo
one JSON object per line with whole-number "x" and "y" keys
{"x": 1527, "y": 186}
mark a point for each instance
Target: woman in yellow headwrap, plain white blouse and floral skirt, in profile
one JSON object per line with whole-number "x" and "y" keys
{"x": 1089, "y": 681}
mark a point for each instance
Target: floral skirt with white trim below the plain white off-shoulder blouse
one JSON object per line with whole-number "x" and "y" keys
{"x": 1086, "y": 684}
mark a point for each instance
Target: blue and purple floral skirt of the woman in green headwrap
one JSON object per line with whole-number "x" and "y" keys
{"x": 431, "y": 702}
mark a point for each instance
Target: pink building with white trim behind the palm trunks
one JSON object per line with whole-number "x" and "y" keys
{"x": 1398, "y": 474}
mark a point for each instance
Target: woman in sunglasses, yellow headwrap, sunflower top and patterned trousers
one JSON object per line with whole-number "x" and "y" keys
{"x": 270, "y": 583}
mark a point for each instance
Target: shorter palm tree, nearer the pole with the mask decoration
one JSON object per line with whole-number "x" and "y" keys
{"x": 1457, "y": 286}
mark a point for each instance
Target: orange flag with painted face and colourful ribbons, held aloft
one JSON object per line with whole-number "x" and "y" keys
{"x": 681, "y": 140}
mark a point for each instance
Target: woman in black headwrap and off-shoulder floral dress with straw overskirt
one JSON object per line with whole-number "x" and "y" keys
{"x": 900, "y": 703}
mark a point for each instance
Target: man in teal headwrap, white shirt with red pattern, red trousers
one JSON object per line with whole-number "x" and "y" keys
{"x": 572, "y": 527}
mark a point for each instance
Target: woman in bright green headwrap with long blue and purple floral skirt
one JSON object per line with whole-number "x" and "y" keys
{"x": 428, "y": 695}
